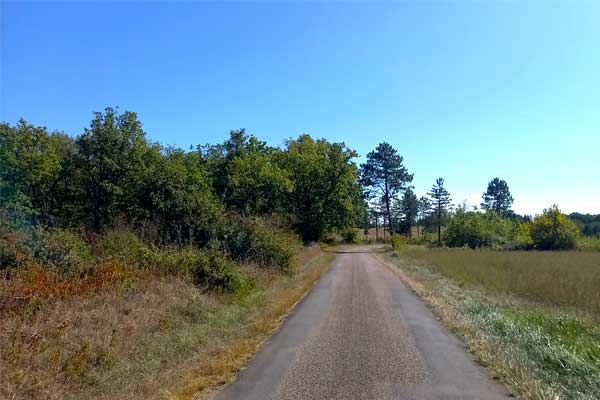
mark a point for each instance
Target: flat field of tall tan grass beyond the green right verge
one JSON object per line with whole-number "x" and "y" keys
{"x": 566, "y": 279}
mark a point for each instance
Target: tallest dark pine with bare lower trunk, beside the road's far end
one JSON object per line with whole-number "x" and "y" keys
{"x": 385, "y": 175}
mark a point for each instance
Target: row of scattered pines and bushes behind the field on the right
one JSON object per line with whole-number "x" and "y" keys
{"x": 390, "y": 196}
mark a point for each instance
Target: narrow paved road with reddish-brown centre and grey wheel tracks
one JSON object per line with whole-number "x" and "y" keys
{"x": 361, "y": 334}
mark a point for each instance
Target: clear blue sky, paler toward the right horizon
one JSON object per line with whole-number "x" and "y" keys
{"x": 466, "y": 90}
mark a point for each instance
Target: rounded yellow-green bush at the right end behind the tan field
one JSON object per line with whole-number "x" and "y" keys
{"x": 553, "y": 230}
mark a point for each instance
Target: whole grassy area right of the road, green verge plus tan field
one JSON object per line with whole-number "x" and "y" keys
{"x": 540, "y": 350}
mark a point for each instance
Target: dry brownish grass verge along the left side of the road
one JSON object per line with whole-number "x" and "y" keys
{"x": 151, "y": 336}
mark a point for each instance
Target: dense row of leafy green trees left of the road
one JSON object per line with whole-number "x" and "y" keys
{"x": 111, "y": 176}
